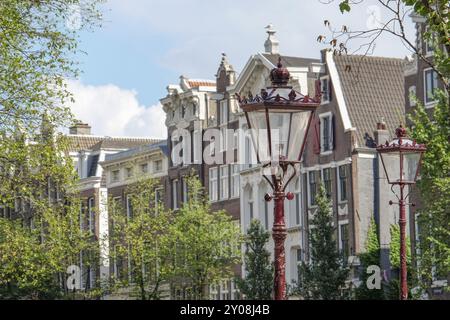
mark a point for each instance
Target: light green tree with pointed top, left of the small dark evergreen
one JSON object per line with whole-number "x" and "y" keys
{"x": 206, "y": 243}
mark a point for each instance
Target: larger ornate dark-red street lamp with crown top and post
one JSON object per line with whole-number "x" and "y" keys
{"x": 279, "y": 119}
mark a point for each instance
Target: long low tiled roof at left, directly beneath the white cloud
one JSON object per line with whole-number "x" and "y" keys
{"x": 89, "y": 142}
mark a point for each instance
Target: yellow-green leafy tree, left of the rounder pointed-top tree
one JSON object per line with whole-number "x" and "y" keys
{"x": 141, "y": 239}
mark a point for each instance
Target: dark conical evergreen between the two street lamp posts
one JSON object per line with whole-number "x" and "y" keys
{"x": 325, "y": 276}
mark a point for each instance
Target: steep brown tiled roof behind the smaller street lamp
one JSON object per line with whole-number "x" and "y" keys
{"x": 373, "y": 88}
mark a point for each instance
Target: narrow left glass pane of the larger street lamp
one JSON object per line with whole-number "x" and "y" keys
{"x": 258, "y": 130}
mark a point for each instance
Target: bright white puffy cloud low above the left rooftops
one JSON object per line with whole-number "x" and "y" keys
{"x": 114, "y": 111}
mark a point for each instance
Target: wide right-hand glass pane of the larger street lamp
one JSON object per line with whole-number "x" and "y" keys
{"x": 288, "y": 131}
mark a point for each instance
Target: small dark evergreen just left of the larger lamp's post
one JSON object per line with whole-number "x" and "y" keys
{"x": 258, "y": 281}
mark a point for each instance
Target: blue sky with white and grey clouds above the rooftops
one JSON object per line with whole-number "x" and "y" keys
{"x": 146, "y": 44}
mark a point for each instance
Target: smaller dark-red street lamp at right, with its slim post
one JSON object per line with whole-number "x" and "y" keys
{"x": 401, "y": 161}
